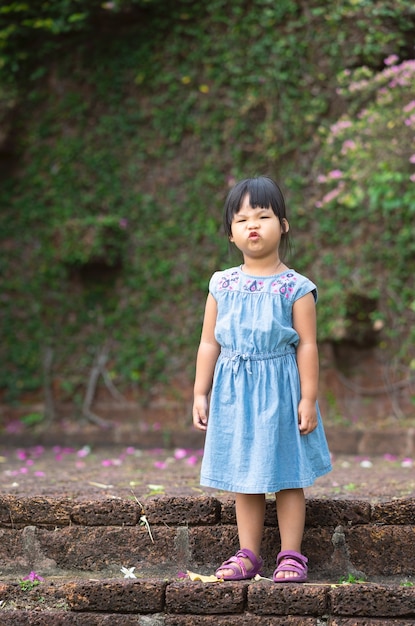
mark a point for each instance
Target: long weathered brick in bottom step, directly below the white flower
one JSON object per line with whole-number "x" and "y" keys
{"x": 112, "y": 596}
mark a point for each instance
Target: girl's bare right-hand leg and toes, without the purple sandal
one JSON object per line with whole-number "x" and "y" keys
{"x": 291, "y": 521}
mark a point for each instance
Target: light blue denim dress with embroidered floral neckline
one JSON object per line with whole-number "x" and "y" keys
{"x": 253, "y": 444}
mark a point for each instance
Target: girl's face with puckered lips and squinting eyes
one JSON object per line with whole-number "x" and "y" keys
{"x": 257, "y": 231}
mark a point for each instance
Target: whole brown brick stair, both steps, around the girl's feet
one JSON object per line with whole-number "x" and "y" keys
{"x": 79, "y": 547}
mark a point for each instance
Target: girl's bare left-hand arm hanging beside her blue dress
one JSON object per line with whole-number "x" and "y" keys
{"x": 207, "y": 355}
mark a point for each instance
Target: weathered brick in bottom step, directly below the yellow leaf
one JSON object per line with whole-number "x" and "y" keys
{"x": 208, "y": 599}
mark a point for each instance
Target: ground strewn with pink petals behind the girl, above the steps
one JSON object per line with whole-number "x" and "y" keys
{"x": 121, "y": 472}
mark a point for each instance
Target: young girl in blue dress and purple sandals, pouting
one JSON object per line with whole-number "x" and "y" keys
{"x": 258, "y": 357}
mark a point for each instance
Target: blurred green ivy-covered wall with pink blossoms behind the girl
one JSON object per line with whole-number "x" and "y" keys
{"x": 122, "y": 125}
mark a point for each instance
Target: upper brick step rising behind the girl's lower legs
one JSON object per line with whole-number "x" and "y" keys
{"x": 56, "y": 535}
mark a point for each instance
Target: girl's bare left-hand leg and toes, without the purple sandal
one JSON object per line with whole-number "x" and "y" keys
{"x": 250, "y": 513}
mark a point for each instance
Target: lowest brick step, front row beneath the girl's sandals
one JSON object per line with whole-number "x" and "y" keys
{"x": 156, "y": 602}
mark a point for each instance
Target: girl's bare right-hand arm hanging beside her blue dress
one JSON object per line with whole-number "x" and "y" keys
{"x": 304, "y": 322}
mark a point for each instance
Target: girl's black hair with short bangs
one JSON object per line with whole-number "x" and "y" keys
{"x": 262, "y": 192}
